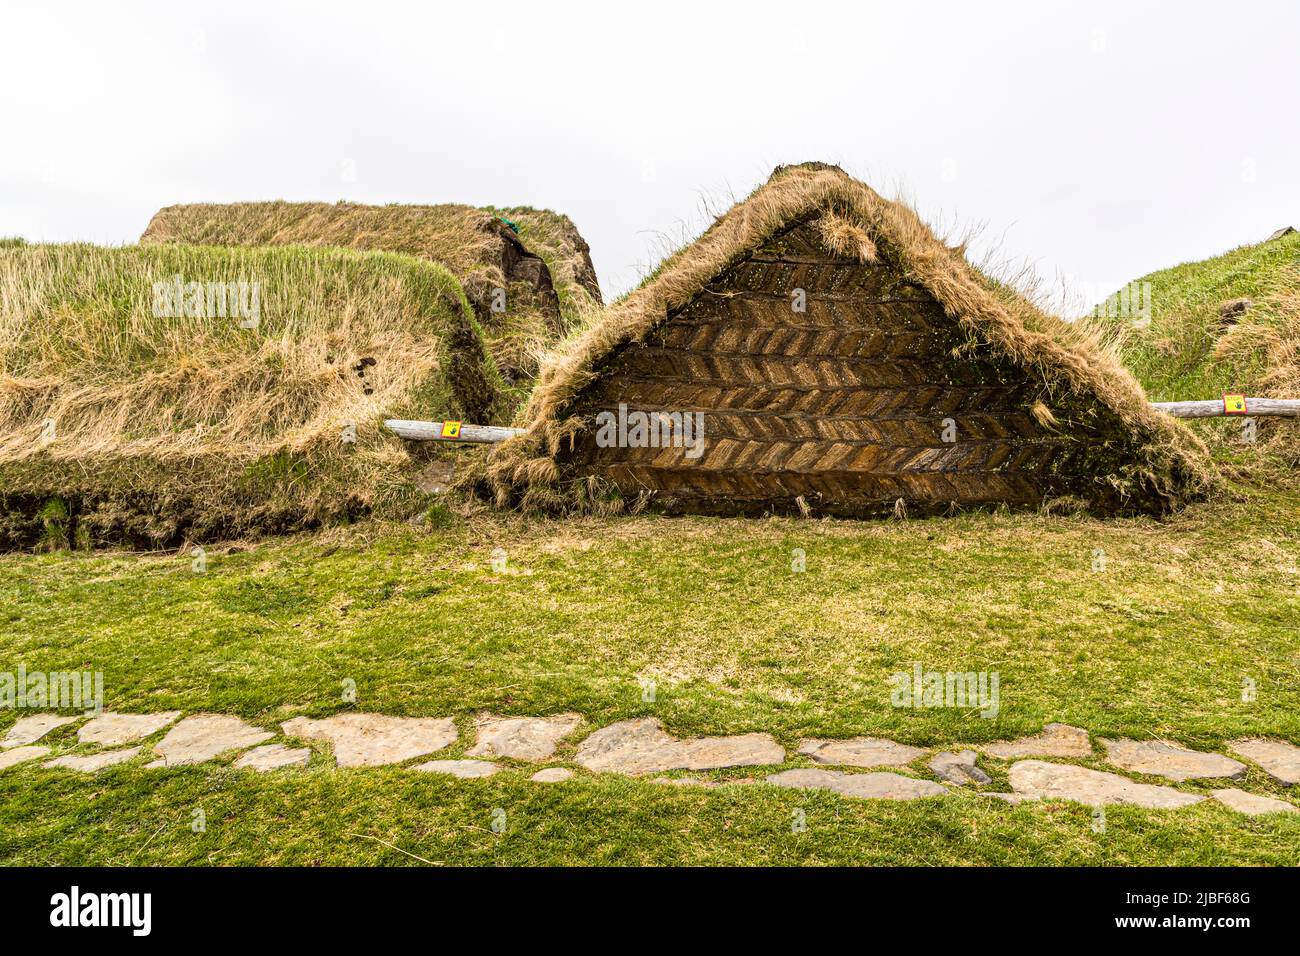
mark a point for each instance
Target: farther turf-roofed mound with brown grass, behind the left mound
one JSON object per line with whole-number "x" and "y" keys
{"x": 536, "y": 258}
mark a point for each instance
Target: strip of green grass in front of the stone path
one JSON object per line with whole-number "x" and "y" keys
{"x": 133, "y": 817}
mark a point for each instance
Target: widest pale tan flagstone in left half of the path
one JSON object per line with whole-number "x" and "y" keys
{"x": 376, "y": 739}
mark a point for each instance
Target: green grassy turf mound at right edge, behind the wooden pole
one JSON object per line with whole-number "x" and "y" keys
{"x": 1230, "y": 323}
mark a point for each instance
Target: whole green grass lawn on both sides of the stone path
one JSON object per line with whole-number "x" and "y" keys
{"x": 1156, "y": 643}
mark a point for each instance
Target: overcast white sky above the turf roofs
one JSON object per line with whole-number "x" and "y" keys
{"x": 1097, "y": 141}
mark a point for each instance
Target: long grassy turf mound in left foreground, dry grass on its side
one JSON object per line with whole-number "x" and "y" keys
{"x": 249, "y": 399}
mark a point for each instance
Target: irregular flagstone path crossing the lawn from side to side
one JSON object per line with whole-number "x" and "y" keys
{"x": 642, "y": 747}
